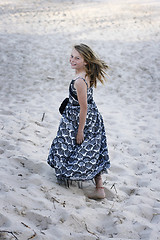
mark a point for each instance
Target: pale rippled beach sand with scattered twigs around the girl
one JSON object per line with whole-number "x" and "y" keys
{"x": 36, "y": 38}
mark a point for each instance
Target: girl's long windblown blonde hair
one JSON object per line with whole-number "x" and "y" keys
{"x": 95, "y": 67}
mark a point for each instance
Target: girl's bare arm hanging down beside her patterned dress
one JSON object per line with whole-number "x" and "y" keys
{"x": 82, "y": 99}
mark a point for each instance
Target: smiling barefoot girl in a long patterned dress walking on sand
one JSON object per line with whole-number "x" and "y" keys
{"x": 79, "y": 151}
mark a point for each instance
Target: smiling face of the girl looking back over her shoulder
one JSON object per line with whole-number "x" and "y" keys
{"x": 77, "y": 61}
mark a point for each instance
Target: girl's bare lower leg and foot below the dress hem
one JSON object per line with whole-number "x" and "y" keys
{"x": 99, "y": 191}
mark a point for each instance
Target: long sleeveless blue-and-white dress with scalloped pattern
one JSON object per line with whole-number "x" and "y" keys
{"x": 70, "y": 160}
